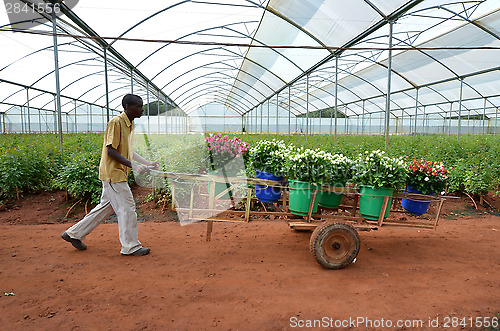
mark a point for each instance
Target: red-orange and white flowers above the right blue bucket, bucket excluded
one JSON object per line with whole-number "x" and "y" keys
{"x": 427, "y": 176}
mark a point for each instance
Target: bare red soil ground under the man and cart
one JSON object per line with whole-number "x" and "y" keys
{"x": 256, "y": 276}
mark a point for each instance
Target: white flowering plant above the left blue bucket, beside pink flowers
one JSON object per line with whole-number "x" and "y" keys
{"x": 269, "y": 155}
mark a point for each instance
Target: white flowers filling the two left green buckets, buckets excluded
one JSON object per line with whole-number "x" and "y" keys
{"x": 317, "y": 166}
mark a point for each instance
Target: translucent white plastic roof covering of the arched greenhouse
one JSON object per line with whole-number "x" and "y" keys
{"x": 210, "y": 61}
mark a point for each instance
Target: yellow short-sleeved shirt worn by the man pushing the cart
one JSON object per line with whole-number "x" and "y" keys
{"x": 118, "y": 134}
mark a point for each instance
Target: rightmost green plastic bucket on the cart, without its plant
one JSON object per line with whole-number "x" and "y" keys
{"x": 371, "y": 201}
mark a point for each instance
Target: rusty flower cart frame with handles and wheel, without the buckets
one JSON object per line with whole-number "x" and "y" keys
{"x": 334, "y": 242}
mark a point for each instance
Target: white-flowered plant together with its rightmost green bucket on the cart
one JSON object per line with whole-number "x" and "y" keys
{"x": 378, "y": 175}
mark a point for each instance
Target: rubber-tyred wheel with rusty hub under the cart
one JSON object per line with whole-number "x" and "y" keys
{"x": 334, "y": 245}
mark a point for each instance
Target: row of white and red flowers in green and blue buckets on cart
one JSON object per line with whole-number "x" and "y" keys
{"x": 375, "y": 173}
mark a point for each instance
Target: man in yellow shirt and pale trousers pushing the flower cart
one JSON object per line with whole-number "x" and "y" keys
{"x": 117, "y": 154}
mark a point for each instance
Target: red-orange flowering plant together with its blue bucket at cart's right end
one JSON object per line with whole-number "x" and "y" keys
{"x": 424, "y": 177}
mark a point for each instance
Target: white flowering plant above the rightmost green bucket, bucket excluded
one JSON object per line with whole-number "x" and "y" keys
{"x": 377, "y": 169}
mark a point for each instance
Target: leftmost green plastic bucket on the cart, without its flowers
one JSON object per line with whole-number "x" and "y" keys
{"x": 299, "y": 197}
